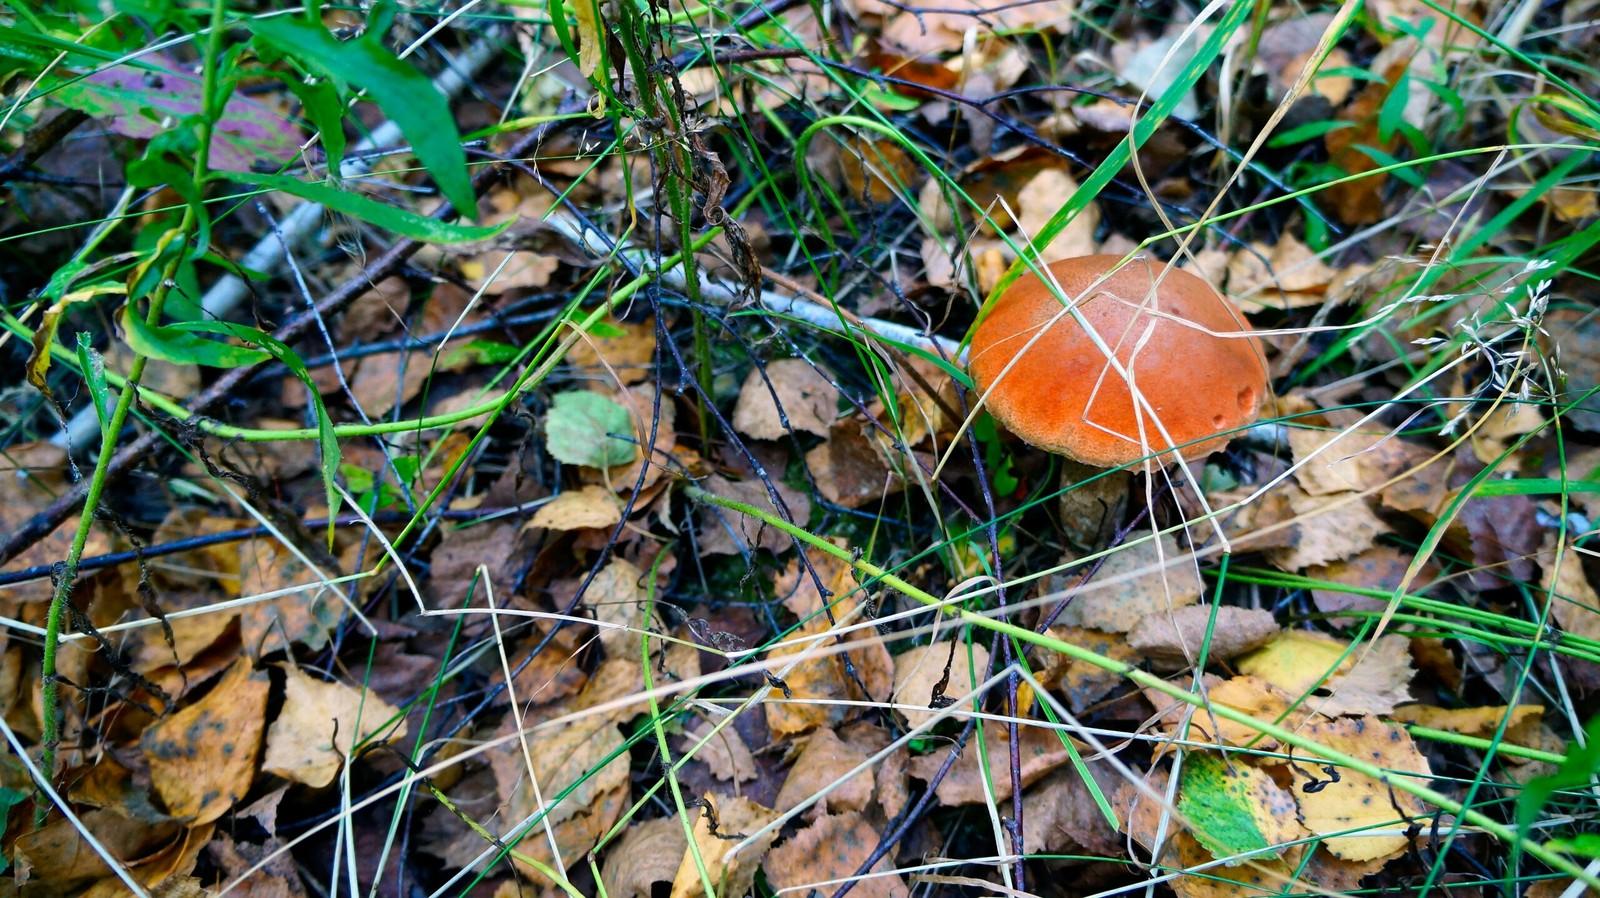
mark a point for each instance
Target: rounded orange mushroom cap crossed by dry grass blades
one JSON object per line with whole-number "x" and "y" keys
{"x": 1044, "y": 379}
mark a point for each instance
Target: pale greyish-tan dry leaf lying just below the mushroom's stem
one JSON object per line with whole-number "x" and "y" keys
{"x": 1135, "y": 582}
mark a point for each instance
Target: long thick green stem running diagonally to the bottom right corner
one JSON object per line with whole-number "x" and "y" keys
{"x": 1158, "y": 684}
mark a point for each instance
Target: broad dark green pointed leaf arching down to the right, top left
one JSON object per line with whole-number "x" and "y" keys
{"x": 406, "y": 95}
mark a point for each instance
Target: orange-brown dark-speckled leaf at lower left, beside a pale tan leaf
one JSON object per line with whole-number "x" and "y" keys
{"x": 204, "y": 758}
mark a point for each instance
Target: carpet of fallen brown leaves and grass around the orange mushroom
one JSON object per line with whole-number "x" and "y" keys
{"x": 287, "y": 731}
